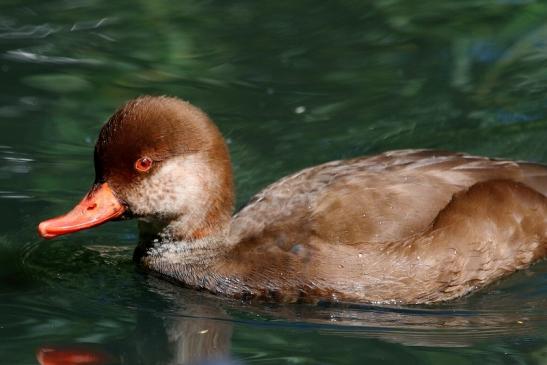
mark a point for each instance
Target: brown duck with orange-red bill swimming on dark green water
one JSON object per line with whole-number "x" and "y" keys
{"x": 408, "y": 226}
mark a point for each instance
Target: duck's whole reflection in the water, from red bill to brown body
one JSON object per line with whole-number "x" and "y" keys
{"x": 197, "y": 328}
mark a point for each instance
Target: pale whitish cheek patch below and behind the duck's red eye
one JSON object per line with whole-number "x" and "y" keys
{"x": 180, "y": 187}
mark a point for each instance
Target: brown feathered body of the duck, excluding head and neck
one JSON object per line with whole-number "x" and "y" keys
{"x": 411, "y": 226}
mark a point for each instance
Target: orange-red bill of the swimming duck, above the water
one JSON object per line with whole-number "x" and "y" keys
{"x": 100, "y": 205}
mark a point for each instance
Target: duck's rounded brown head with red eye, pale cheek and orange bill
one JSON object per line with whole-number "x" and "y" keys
{"x": 161, "y": 160}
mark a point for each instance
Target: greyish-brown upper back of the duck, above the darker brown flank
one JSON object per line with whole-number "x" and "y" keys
{"x": 383, "y": 198}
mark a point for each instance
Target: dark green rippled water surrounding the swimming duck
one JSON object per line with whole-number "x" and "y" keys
{"x": 291, "y": 84}
